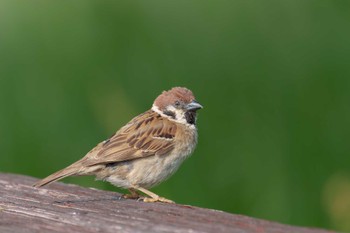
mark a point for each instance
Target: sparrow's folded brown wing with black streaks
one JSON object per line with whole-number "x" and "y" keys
{"x": 146, "y": 135}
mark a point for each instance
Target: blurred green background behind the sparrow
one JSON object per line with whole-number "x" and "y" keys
{"x": 273, "y": 77}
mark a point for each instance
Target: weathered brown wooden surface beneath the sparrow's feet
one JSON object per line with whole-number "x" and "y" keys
{"x": 69, "y": 208}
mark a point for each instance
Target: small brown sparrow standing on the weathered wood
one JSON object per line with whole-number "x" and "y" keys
{"x": 144, "y": 152}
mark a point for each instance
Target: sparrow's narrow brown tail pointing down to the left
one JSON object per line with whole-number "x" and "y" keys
{"x": 71, "y": 170}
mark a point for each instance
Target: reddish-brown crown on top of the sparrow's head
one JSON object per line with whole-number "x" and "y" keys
{"x": 176, "y": 93}
